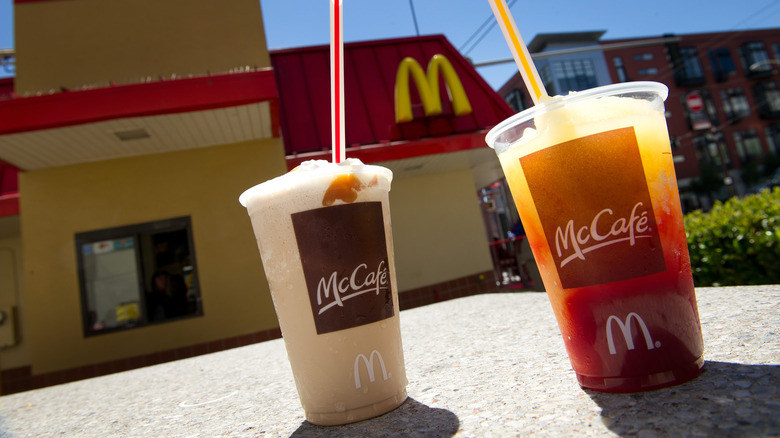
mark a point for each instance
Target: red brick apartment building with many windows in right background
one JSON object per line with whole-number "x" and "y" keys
{"x": 723, "y": 107}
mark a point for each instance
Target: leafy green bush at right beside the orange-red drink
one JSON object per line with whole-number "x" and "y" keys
{"x": 737, "y": 242}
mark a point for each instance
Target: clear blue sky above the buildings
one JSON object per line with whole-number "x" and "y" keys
{"x": 296, "y": 23}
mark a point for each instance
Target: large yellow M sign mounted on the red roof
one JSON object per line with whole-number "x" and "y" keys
{"x": 428, "y": 88}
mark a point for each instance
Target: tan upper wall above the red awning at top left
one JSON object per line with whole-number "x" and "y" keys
{"x": 92, "y": 42}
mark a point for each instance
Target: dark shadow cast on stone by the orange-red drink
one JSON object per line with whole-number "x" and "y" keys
{"x": 727, "y": 399}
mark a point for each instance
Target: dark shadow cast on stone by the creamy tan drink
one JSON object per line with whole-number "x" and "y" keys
{"x": 412, "y": 418}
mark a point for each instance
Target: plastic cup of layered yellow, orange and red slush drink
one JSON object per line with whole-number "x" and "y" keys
{"x": 593, "y": 178}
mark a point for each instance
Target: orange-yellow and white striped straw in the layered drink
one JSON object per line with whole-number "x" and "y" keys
{"x": 519, "y": 50}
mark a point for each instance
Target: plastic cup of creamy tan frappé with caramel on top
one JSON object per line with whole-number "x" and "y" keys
{"x": 325, "y": 240}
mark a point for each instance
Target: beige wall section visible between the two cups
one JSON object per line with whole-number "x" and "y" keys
{"x": 438, "y": 231}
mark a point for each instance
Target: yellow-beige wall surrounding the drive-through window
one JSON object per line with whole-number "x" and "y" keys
{"x": 203, "y": 184}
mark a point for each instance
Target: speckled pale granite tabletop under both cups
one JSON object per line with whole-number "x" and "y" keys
{"x": 486, "y": 365}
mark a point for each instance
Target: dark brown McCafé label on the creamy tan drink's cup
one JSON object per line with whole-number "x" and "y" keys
{"x": 345, "y": 264}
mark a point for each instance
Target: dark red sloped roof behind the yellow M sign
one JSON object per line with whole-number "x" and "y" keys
{"x": 303, "y": 81}
